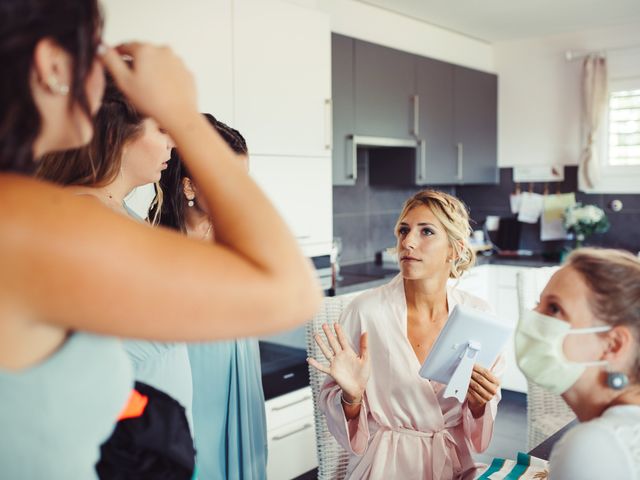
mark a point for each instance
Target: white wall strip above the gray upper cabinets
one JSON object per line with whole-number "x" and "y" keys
{"x": 376, "y": 25}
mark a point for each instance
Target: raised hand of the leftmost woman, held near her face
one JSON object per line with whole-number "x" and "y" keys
{"x": 156, "y": 81}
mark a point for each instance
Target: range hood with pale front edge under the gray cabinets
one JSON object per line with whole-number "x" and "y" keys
{"x": 392, "y": 161}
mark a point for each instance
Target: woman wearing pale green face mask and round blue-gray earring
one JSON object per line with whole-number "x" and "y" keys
{"x": 581, "y": 341}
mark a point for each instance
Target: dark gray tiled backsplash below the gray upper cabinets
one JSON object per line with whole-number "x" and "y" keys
{"x": 364, "y": 216}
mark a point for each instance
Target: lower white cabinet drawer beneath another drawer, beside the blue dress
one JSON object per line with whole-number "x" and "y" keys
{"x": 292, "y": 450}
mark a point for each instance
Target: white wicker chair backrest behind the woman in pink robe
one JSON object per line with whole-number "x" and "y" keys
{"x": 332, "y": 458}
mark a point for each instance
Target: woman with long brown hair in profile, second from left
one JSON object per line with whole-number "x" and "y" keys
{"x": 128, "y": 150}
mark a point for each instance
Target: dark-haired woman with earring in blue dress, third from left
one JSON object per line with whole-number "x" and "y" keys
{"x": 228, "y": 401}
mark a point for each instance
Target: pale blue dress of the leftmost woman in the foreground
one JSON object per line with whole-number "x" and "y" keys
{"x": 55, "y": 415}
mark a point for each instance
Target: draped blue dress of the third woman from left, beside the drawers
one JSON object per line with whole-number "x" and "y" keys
{"x": 228, "y": 410}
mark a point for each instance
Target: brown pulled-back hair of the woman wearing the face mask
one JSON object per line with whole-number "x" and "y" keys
{"x": 613, "y": 277}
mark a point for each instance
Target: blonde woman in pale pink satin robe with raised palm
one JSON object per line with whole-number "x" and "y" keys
{"x": 394, "y": 423}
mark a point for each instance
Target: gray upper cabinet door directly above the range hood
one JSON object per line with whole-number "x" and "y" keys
{"x": 384, "y": 87}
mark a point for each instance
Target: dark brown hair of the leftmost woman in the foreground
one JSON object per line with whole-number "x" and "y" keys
{"x": 75, "y": 25}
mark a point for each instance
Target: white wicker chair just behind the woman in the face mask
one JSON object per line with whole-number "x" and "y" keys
{"x": 546, "y": 412}
